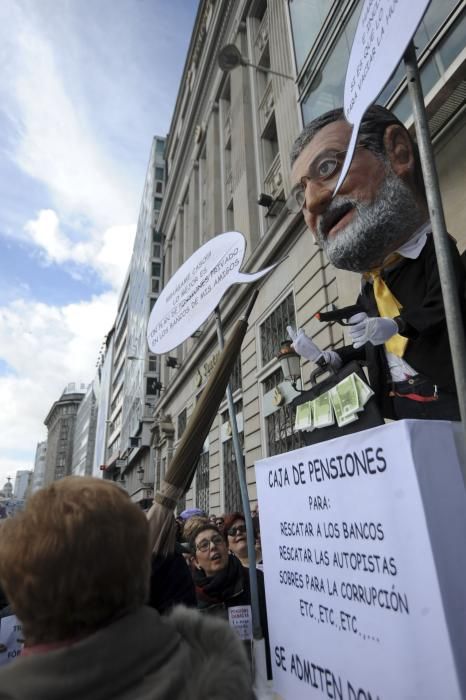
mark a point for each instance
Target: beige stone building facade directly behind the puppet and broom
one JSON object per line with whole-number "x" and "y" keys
{"x": 228, "y": 146}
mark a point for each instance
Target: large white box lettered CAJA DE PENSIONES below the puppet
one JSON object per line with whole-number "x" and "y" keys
{"x": 363, "y": 567}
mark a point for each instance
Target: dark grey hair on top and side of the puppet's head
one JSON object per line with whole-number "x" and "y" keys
{"x": 375, "y": 121}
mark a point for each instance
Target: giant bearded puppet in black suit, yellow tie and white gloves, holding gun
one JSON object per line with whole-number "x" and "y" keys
{"x": 378, "y": 226}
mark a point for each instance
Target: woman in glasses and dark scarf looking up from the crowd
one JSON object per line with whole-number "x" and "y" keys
{"x": 222, "y": 585}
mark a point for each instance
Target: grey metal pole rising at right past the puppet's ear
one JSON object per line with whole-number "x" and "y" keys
{"x": 439, "y": 231}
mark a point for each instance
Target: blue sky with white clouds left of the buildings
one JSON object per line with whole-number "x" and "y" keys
{"x": 84, "y": 86}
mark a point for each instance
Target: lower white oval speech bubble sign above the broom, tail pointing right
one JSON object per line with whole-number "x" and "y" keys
{"x": 196, "y": 289}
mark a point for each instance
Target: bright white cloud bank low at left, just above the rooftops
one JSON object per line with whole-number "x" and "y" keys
{"x": 46, "y": 347}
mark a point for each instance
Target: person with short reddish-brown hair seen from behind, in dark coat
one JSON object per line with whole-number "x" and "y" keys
{"x": 75, "y": 565}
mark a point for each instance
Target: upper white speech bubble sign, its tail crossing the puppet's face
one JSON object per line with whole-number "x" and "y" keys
{"x": 384, "y": 31}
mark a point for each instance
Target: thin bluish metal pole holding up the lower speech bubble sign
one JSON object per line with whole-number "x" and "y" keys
{"x": 256, "y": 623}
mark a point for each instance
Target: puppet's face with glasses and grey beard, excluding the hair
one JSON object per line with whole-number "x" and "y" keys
{"x": 374, "y": 211}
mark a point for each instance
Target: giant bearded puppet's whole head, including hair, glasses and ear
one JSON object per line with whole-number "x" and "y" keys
{"x": 381, "y": 202}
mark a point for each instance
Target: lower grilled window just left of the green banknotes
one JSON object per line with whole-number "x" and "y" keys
{"x": 279, "y": 425}
